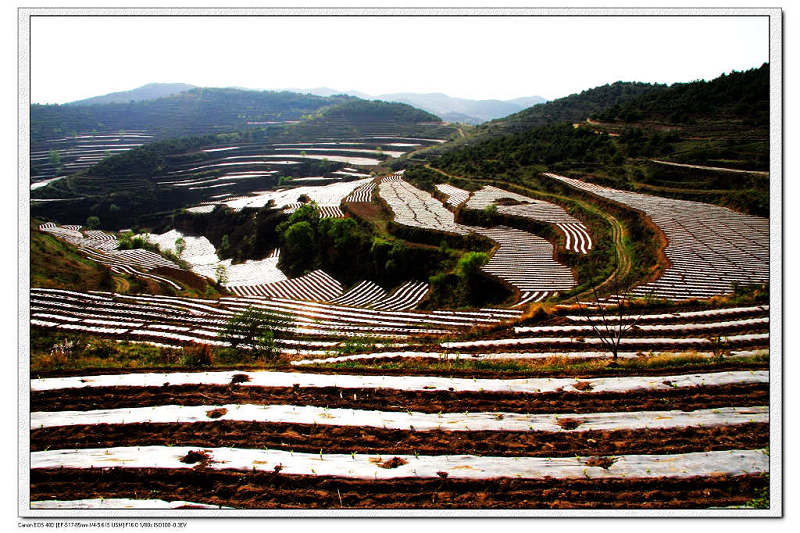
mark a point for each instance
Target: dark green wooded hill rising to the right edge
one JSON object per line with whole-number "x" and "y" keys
{"x": 721, "y": 123}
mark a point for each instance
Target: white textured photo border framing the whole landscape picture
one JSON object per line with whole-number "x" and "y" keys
{"x": 776, "y": 259}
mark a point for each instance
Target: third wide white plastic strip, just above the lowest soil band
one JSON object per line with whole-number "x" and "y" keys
{"x": 730, "y": 462}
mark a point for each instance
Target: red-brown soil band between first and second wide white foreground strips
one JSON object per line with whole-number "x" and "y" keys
{"x": 687, "y": 399}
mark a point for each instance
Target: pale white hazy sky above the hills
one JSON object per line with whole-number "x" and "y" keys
{"x": 470, "y": 57}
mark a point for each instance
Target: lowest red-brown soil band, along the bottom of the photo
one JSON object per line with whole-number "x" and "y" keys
{"x": 255, "y": 490}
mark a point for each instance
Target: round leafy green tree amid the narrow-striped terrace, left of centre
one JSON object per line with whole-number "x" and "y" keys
{"x": 256, "y": 329}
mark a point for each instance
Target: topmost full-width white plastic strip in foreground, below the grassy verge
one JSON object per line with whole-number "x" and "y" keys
{"x": 411, "y": 383}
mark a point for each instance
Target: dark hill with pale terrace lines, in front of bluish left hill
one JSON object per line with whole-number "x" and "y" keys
{"x": 145, "y": 184}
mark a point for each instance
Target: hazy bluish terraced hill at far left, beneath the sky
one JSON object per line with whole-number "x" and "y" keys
{"x": 69, "y": 138}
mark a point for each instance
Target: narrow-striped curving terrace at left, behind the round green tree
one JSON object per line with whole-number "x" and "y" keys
{"x": 179, "y": 321}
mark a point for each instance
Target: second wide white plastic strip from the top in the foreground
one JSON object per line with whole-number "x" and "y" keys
{"x": 479, "y": 421}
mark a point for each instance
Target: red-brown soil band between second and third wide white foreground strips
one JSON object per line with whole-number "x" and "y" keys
{"x": 310, "y": 438}
